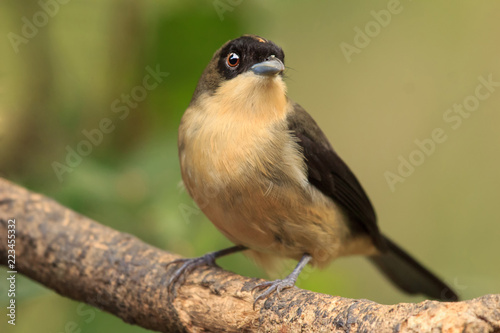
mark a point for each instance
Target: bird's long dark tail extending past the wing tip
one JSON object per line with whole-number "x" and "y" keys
{"x": 409, "y": 275}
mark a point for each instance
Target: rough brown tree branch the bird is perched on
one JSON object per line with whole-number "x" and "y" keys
{"x": 88, "y": 262}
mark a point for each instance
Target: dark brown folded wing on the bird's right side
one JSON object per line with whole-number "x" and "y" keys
{"x": 329, "y": 174}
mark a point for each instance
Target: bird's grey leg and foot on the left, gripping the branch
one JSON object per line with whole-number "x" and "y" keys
{"x": 188, "y": 264}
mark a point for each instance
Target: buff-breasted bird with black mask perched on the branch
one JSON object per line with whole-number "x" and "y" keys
{"x": 264, "y": 173}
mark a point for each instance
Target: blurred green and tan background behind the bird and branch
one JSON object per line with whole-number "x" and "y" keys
{"x": 64, "y": 79}
